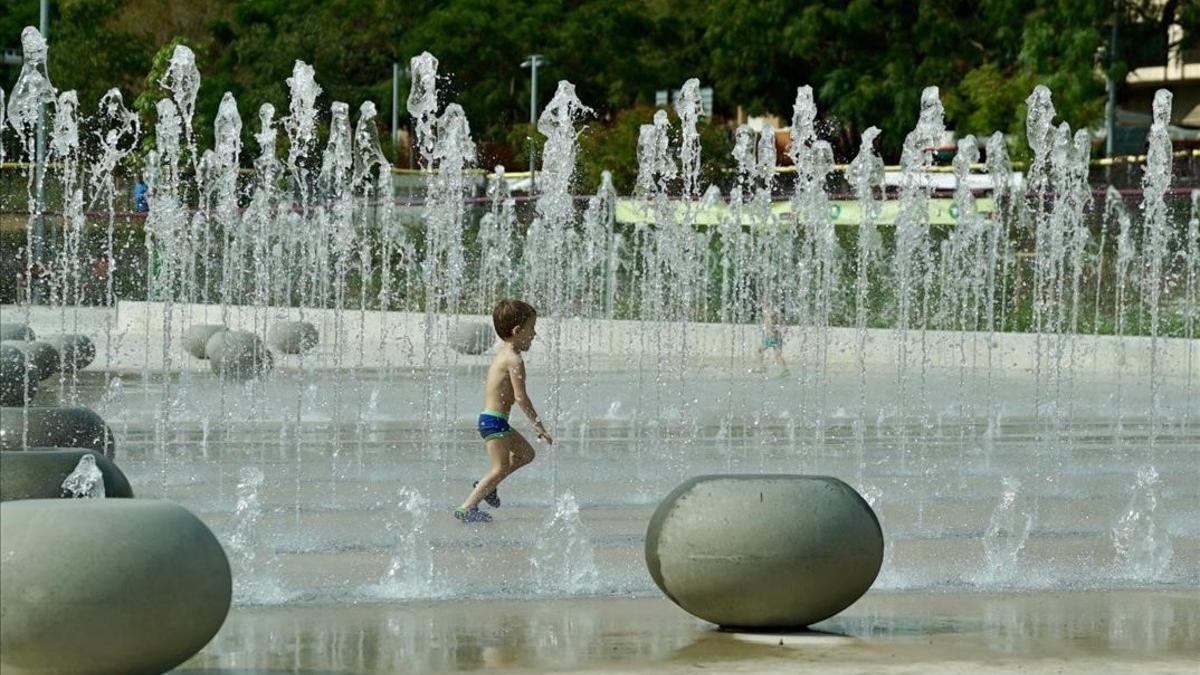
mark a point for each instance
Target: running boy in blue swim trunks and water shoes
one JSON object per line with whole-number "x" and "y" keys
{"x": 506, "y": 385}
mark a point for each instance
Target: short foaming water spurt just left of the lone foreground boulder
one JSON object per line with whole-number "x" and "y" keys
{"x": 563, "y": 559}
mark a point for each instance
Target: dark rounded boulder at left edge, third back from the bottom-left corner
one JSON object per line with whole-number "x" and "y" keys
{"x": 53, "y": 427}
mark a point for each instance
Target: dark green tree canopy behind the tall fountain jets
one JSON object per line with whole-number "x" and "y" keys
{"x": 867, "y": 61}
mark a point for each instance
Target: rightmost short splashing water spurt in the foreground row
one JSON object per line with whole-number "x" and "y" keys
{"x": 1144, "y": 548}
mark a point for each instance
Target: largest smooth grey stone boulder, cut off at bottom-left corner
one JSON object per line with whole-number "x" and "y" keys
{"x": 107, "y": 587}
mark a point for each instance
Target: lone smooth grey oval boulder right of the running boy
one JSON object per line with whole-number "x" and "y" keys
{"x": 764, "y": 551}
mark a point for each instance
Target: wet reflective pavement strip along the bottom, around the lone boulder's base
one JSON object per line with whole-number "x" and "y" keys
{"x": 1060, "y": 632}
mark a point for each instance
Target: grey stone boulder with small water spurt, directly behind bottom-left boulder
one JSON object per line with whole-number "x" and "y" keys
{"x": 39, "y": 474}
